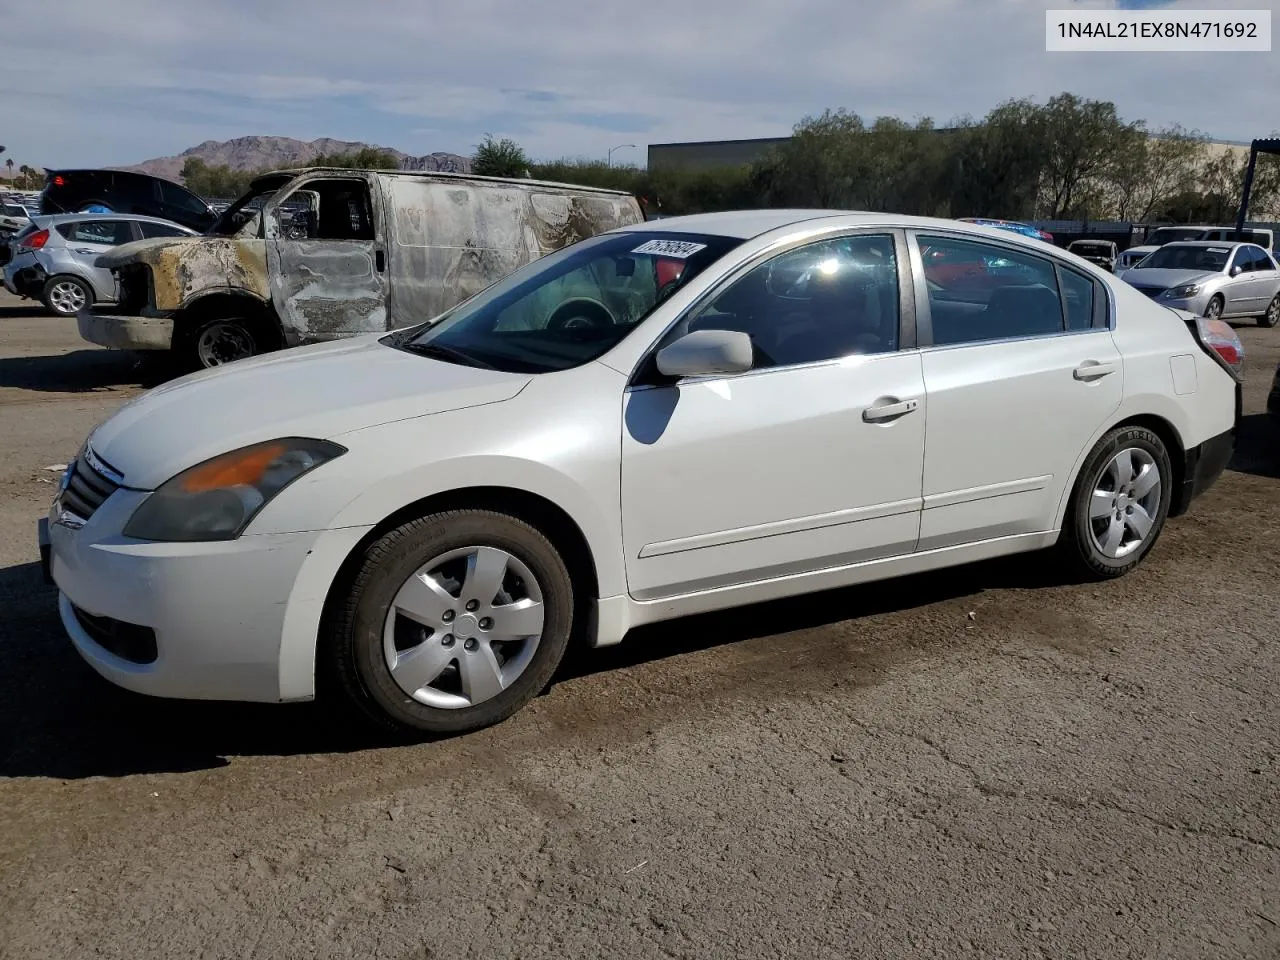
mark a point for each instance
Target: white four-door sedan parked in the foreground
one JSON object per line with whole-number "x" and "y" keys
{"x": 668, "y": 419}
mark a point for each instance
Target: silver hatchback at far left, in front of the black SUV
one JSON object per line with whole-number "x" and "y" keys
{"x": 54, "y": 259}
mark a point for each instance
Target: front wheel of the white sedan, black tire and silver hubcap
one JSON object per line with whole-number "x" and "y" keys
{"x": 452, "y": 623}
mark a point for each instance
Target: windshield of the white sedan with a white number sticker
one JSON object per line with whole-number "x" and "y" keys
{"x": 568, "y": 308}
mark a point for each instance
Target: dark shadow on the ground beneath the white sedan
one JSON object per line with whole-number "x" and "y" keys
{"x": 58, "y": 719}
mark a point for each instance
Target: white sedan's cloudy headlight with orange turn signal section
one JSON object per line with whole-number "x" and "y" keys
{"x": 217, "y": 500}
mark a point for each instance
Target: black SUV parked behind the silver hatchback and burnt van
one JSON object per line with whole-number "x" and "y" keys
{"x": 124, "y": 193}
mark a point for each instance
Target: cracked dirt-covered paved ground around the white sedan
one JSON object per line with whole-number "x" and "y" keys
{"x": 981, "y": 764}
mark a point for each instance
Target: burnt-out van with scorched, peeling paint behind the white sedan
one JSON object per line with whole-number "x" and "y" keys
{"x": 324, "y": 254}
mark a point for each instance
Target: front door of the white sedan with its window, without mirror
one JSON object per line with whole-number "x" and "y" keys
{"x": 810, "y": 461}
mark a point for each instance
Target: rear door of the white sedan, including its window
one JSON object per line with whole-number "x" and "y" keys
{"x": 1018, "y": 383}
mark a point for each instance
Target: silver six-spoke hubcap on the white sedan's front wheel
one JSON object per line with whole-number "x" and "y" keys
{"x": 464, "y": 628}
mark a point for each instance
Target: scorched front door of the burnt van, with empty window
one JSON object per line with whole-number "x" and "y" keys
{"x": 327, "y": 260}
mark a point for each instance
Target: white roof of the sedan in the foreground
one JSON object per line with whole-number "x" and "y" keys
{"x": 748, "y": 225}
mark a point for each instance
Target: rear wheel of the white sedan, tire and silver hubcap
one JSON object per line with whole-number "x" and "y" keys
{"x": 1119, "y": 505}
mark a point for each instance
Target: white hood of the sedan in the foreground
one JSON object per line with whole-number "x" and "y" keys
{"x": 321, "y": 392}
